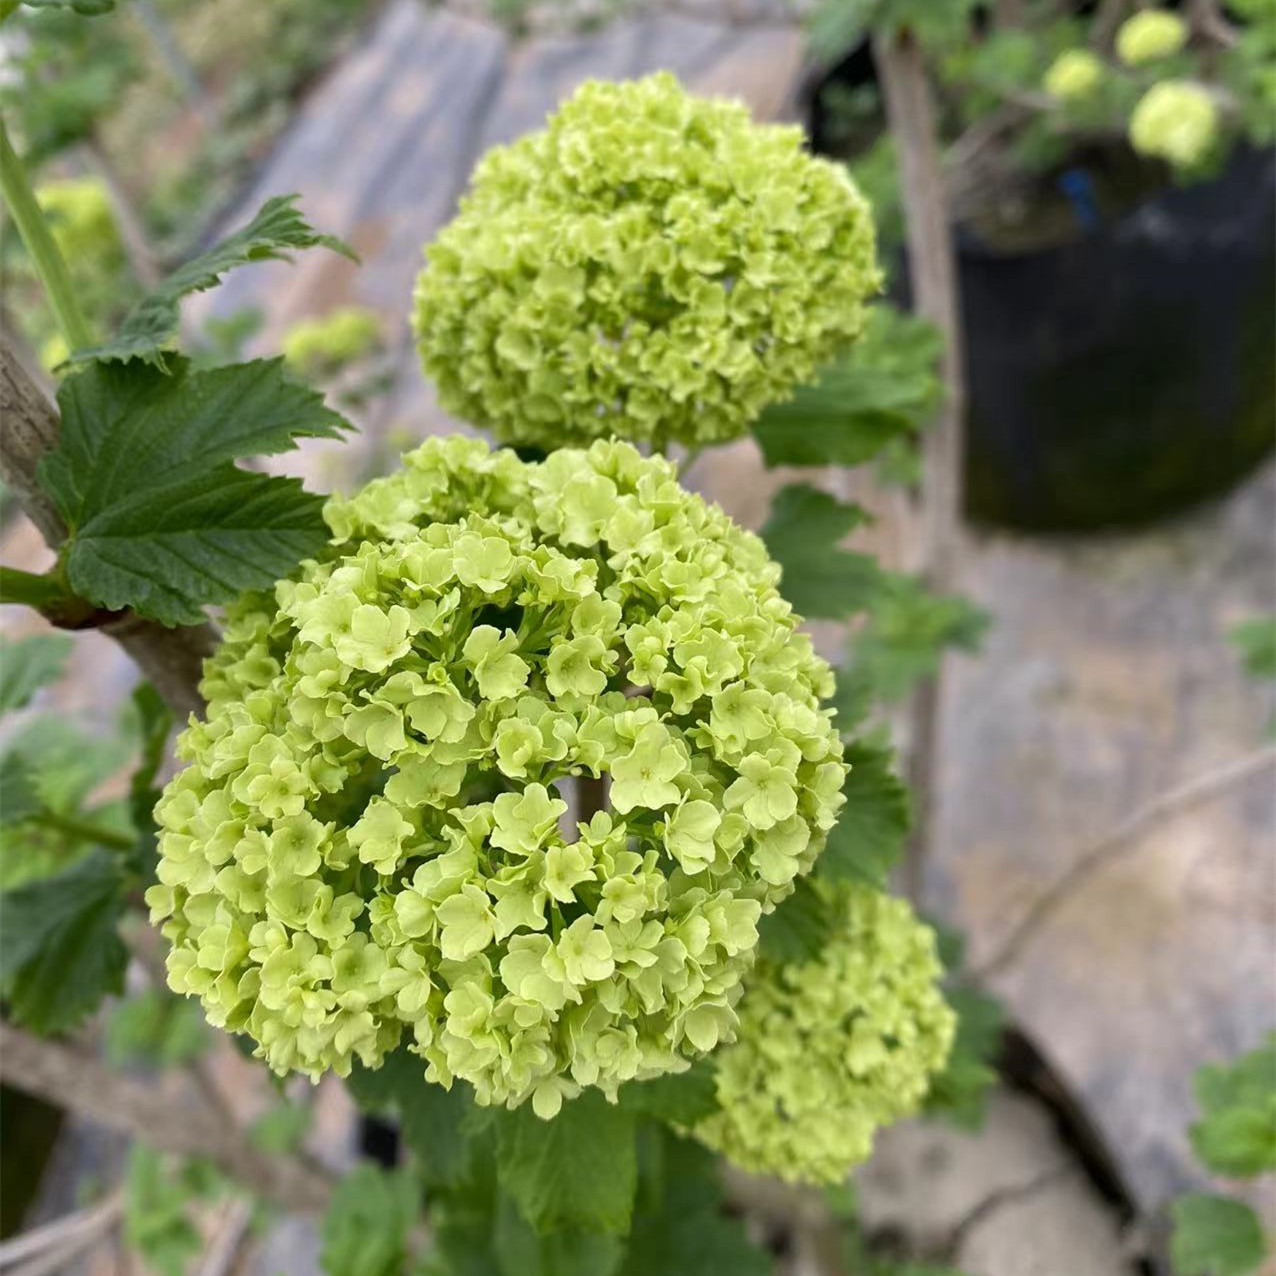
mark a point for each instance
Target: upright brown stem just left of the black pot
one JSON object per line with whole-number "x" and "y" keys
{"x": 933, "y": 275}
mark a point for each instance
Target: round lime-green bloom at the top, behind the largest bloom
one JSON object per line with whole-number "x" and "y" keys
{"x": 651, "y": 266}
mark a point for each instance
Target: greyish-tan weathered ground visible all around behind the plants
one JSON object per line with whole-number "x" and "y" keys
{"x": 1106, "y": 681}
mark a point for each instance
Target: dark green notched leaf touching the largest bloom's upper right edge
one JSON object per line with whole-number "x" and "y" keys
{"x": 803, "y": 533}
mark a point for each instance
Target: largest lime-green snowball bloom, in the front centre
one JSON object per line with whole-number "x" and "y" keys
{"x": 371, "y": 838}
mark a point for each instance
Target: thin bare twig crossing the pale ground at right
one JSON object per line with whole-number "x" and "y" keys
{"x": 1121, "y": 840}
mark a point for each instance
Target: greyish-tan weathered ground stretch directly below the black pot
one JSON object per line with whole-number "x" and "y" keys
{"x": 1107, "y": 681}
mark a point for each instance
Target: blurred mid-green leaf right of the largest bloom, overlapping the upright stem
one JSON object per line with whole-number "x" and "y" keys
{"x": 905, "y": 637}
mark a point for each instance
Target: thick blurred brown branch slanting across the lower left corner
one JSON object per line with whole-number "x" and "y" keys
{"x": 84, "y": 1085}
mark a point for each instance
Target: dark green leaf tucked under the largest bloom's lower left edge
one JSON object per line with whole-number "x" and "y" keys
{"x": 433, "y": 1122}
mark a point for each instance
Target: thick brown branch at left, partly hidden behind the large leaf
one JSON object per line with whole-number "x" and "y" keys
{"x": 172, "y": 659}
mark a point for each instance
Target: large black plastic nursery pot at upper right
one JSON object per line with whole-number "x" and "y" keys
{"x": 1127, "y": 372}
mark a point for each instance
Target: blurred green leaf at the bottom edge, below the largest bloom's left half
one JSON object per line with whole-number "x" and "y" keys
{"x": 367, "y": 1227}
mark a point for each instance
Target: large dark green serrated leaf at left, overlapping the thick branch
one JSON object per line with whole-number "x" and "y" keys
{"x": 160, "y": 519}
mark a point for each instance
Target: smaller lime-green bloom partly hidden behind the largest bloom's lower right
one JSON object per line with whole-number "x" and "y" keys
{"x": 830, "y": 1050}
